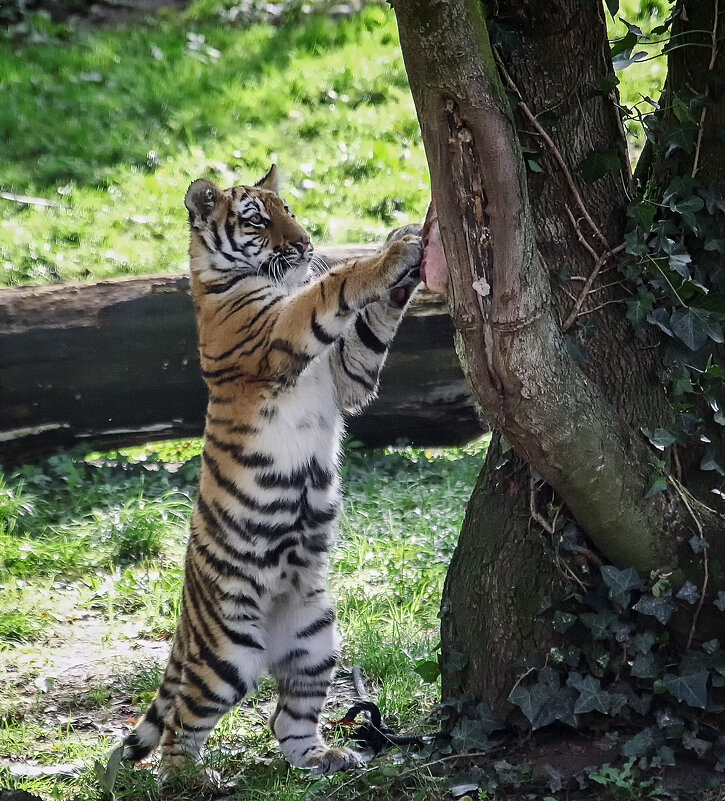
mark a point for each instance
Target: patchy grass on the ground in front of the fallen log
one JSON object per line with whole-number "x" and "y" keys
{"x": 101, "y": 539}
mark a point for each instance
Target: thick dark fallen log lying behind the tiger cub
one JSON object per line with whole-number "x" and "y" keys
{"x": 115, "y": 363}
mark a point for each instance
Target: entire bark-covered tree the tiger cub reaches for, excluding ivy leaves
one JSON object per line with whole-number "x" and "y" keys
{"x": 540, "y": 318}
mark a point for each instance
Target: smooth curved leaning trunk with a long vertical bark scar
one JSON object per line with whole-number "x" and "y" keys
{"x": 507, "y": 338}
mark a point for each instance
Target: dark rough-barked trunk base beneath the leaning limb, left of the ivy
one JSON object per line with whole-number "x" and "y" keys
{"x": 500, "y": 575}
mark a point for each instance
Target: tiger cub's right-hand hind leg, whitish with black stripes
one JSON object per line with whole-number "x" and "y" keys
{"x": 306, "y": 646}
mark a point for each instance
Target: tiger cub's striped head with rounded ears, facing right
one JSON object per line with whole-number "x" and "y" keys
{"x": 246, "y": 229}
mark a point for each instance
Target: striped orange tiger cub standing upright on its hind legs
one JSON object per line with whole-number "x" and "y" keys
{"x": 283, "y": 353}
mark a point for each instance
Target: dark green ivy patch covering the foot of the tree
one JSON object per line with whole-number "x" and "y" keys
{"x": 617, "y": 659}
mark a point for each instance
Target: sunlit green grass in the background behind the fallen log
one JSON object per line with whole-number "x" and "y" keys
{"x": 110, "y": 125}
